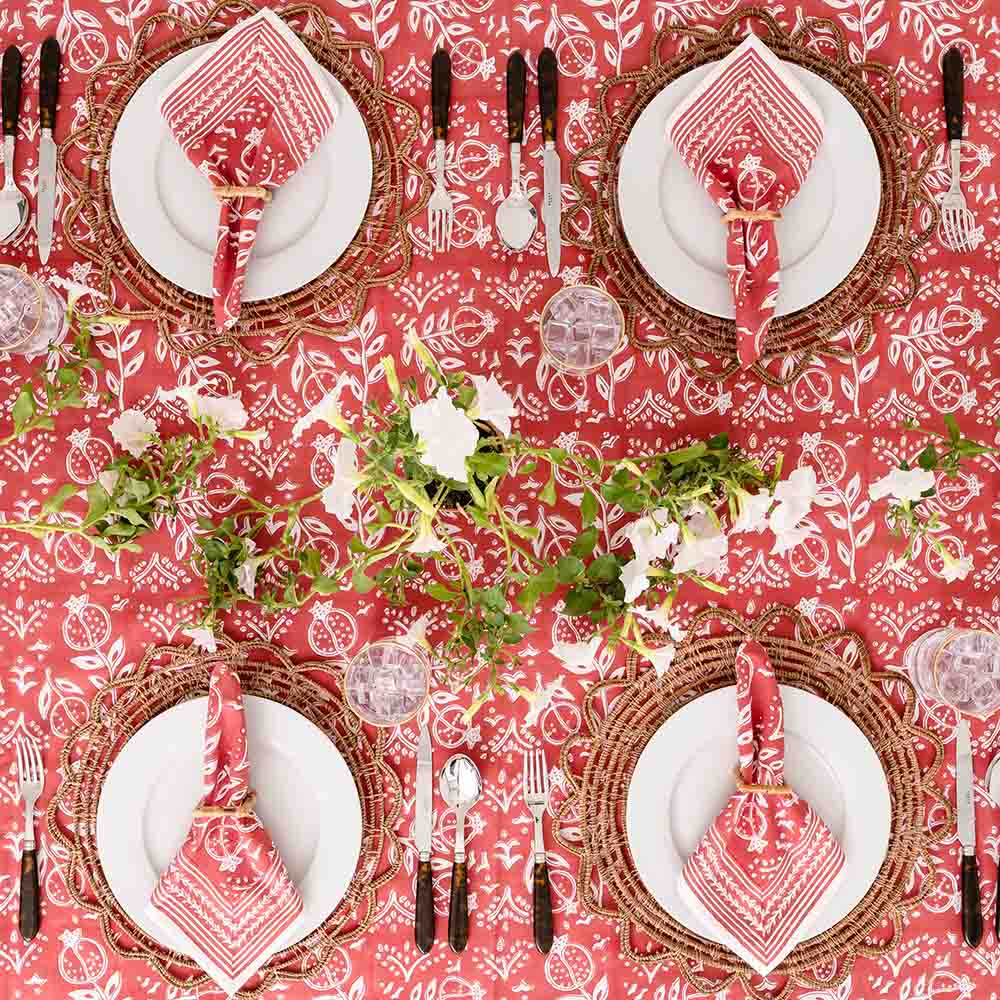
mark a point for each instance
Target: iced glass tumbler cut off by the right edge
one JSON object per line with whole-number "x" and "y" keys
{"x": 959, "y": 666}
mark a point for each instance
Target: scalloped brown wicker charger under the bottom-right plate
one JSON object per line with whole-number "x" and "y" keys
{"x": 621, "y": 715}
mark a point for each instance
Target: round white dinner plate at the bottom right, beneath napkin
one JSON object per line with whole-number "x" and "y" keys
{"x": 684, "y": 777}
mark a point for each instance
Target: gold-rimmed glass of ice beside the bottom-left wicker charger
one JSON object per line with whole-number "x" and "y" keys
{"x": 388, "y": 682}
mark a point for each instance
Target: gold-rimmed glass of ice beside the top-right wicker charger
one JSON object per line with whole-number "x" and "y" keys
{"x": 581, "y": 327}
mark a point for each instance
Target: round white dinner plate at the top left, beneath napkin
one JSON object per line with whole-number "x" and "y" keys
{"x": 169, "y": 214}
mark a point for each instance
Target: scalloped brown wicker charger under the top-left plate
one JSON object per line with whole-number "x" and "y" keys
{"x": 379, "y": 254}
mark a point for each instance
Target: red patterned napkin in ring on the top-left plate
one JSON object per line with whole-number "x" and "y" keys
{"x": 248, "y": 114}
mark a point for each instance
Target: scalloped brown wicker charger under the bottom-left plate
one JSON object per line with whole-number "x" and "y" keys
{"x": 167, "y": 676}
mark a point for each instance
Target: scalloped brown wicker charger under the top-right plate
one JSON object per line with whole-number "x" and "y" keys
{"x": 885, "y": 277}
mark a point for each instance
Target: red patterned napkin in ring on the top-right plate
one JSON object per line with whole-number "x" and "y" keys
{"x": 749, "y": 133}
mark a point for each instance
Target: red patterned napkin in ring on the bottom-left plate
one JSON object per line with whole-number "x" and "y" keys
{"x": 227, "y": 892}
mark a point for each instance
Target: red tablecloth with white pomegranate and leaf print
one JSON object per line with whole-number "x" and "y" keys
{"x": 70, "y": 618}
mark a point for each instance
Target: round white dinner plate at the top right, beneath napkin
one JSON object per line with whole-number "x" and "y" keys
{"x": 675, "y": 230}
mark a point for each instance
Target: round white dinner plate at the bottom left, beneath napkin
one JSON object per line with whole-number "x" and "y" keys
{"x": 306, "y": 798}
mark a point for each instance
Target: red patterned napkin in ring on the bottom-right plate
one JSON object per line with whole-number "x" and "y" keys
{"x": 768, "y": 863}
